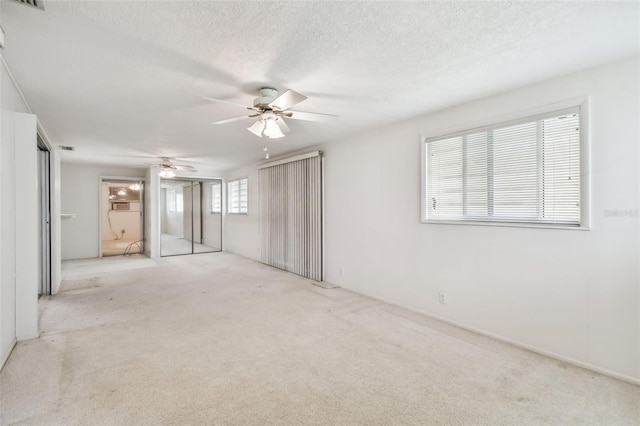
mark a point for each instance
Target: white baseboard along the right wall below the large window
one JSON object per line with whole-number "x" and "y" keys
{"x": 549, "y": 354}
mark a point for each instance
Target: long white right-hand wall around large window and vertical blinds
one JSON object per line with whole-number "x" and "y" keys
{"x": 572, "y": 294}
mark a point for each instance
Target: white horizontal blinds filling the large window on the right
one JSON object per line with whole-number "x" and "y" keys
{"x": 527, "y": 171}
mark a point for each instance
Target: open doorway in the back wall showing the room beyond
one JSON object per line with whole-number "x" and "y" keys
{"x": 122, "y": 218}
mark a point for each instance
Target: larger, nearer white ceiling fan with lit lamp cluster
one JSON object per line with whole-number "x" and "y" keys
{"x": 271, "y": 110}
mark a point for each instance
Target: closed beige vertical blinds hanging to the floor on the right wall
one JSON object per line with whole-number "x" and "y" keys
{"x": 291, "y": 217}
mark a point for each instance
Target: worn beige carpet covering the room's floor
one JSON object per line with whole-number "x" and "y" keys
{"x": 219, "y": 339}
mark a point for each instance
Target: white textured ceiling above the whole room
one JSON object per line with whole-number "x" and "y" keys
{"x": 119, "y": 80}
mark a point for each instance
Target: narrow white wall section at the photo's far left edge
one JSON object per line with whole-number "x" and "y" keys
{"x": 18, "y": 295}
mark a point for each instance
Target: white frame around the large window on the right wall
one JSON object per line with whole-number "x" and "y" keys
{"x": 513, "y": 119}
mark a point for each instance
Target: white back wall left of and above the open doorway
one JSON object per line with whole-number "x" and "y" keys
{"x": 80, "y": 195}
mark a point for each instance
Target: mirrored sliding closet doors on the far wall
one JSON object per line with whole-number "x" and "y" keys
{"x": 191, "y": 216}
